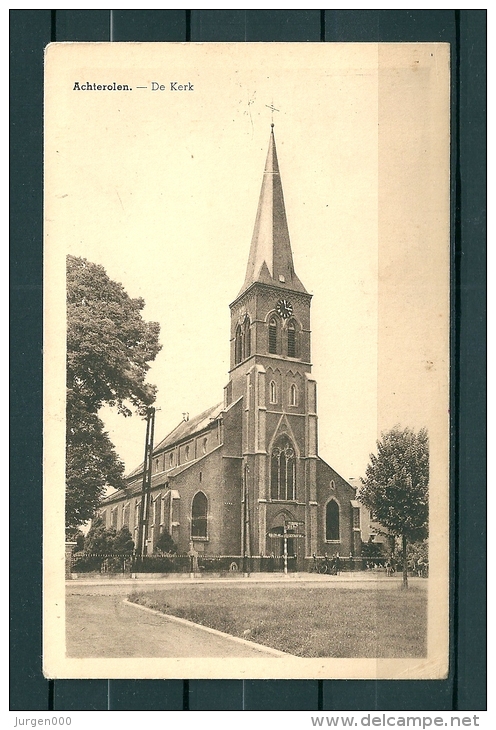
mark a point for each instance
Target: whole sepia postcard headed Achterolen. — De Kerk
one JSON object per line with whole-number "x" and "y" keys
{"x": 246, "y": 348}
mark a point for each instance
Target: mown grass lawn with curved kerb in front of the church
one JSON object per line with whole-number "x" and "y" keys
{"x": 307, "y": 621}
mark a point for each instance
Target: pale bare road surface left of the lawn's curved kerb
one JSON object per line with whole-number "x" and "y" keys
{"x": 100, "y": 624}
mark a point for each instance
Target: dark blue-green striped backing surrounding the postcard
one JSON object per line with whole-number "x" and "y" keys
{"x": 465, "y": 30}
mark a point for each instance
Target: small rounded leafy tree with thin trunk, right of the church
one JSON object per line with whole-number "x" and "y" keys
{"x": 396, "y": 487}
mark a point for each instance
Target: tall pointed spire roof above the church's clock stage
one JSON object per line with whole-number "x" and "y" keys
{"x": 271, "y": 260}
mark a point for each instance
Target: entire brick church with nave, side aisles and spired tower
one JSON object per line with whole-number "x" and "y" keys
{"x": 231, "y": 480}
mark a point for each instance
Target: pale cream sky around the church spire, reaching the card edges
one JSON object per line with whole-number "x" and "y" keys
{"x": 161, "y": 188}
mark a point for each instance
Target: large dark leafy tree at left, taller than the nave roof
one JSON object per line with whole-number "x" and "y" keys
{"x": 109, "y": 348}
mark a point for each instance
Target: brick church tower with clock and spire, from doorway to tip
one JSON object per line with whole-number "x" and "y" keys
{"x": 270, "y": 368}
